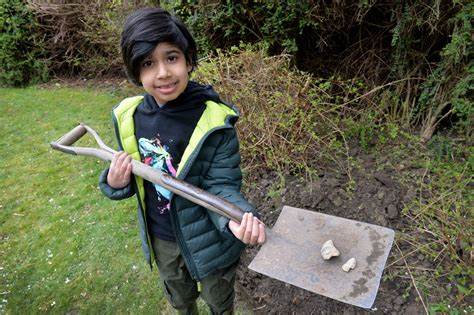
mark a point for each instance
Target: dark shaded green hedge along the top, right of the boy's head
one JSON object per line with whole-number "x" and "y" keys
{"x": 424, "y": 46}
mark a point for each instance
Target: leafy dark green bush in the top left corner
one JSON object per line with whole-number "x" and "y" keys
{"x": 21, "y": 49}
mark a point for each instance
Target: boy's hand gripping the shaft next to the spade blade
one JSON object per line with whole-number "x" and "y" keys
{"x": 250, "y": 230}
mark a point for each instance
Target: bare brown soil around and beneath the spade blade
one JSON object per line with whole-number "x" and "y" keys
{"x": 377, "y": 198}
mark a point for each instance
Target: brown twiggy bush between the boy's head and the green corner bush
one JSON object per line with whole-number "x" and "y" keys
{"x": 82, "y": 37}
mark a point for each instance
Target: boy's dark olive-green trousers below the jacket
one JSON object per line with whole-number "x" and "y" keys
{"x": 217, "y": 290}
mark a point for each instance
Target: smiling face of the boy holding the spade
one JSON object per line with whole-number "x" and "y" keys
{"x": 164, "y": 74}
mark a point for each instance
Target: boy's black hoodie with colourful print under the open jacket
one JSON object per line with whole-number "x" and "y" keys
{"x": 163, "y": 134}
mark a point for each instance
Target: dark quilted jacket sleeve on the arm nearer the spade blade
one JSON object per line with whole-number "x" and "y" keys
{"x": 224, "y": 179}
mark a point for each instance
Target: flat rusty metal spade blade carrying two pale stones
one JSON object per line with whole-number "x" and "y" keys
{"x": 292, "y": 254}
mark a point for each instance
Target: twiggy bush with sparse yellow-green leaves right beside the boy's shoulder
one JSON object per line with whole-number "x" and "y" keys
{"x": 291, "y": 120}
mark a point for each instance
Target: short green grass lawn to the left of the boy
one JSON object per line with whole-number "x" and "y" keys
{"x": 65, "y": 248}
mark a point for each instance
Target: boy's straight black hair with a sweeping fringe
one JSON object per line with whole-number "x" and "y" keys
{"x": 144, "y": 29}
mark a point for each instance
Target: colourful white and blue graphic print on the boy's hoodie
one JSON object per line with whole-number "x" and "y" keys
{"x": 157, "y": 156}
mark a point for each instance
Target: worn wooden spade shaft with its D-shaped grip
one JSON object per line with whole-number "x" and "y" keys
{"x": 177, "y": 186}
